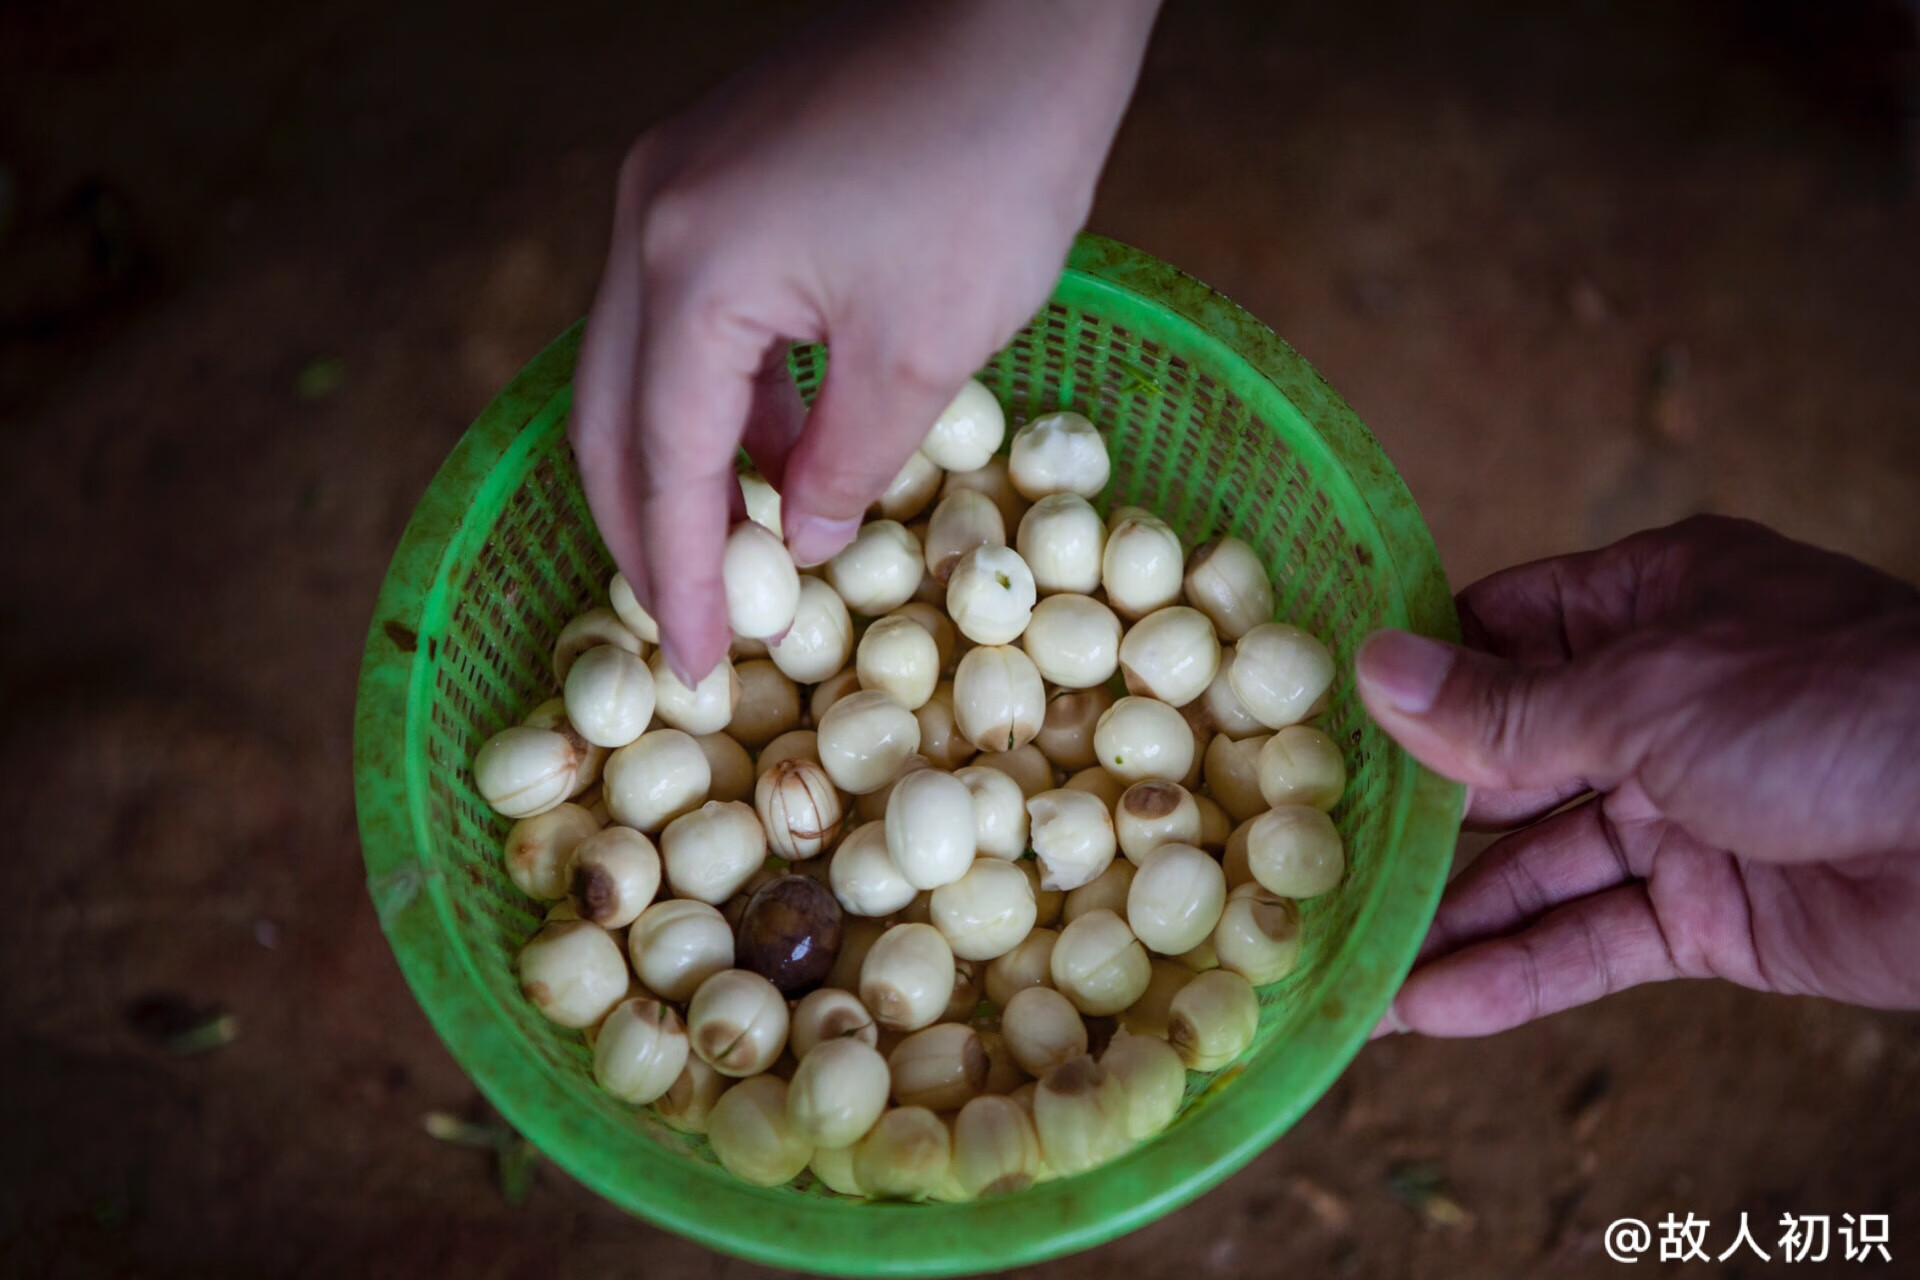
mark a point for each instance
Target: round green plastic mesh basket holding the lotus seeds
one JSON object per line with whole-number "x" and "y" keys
{"x": 1216, "y": 425}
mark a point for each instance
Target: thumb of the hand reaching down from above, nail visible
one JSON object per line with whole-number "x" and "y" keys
{"x": 873, "y": 412}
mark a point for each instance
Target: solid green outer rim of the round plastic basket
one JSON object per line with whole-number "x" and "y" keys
{"x": 834, "y": 1237}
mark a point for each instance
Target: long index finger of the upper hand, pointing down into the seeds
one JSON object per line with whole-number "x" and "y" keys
{"x": 696, "y": 379}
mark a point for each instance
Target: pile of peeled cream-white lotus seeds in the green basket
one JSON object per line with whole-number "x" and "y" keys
{"x": 980, "y": 840}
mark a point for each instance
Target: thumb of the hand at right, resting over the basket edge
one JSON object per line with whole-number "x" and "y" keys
{"x": 1497, "y": 724}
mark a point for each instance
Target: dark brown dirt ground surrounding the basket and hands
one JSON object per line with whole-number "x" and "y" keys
{"x": 1583, "y": 268}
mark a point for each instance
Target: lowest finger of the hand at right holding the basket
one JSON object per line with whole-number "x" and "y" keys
{"x": 1572, "y": 957}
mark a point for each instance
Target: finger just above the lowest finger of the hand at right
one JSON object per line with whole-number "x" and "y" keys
{"x": 1524, "y": 876}
